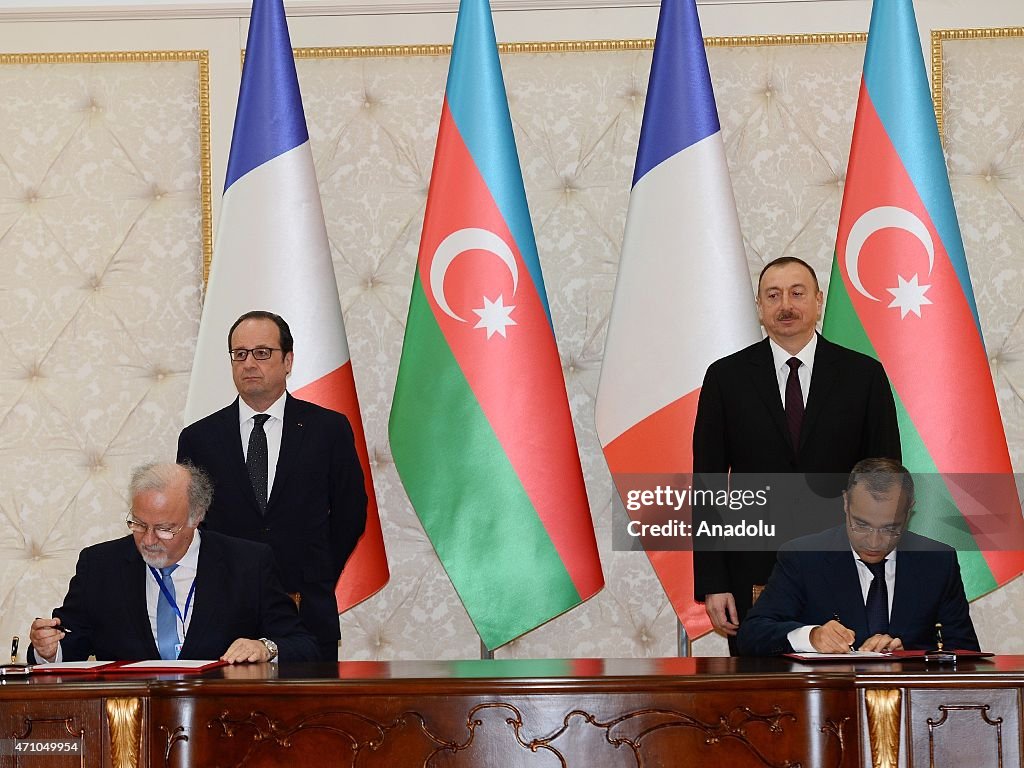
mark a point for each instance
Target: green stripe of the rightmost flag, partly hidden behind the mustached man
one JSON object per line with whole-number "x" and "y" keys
{"x": 937, "y": 516}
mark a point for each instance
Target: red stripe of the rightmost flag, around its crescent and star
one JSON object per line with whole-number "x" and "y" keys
{"x": 935, "y": 360}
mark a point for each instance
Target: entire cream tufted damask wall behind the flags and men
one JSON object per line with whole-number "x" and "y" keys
{"x": 102, "y": 253}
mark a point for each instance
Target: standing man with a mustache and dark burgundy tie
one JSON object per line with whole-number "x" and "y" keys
{"x": 793, "y": 403}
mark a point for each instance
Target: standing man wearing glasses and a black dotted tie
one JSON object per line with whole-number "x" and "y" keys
{"x": 285, "y": 473}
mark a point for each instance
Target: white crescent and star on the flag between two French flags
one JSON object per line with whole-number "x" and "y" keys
{"x": 495, "y": 316}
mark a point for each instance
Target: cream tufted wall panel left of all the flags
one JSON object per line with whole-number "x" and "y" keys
{"x": 104, "y": 215}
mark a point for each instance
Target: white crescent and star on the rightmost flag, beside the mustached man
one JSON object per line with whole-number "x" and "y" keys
{"x": 909, "y": 296}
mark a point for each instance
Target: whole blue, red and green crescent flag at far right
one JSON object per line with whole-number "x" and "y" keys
{"x": 901, "y": 292}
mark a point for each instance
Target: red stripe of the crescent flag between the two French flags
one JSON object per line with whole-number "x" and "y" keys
{"x": 517, "y": 377}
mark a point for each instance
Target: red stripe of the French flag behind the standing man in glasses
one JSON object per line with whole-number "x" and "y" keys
{"x": 367, "y": 571}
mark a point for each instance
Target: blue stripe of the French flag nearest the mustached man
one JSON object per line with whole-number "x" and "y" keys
{"x": 680, "y": 109}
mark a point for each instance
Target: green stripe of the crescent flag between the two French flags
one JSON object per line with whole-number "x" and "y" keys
{"x": 467, "y": 495}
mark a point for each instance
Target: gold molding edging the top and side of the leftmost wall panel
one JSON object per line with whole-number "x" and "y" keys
{"x": 202, "y": 58}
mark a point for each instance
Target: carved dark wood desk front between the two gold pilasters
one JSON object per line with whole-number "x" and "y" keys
{"x": 739, "y": 729}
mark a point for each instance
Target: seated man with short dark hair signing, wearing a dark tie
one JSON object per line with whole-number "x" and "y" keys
{"x": 869, "y": 585}
